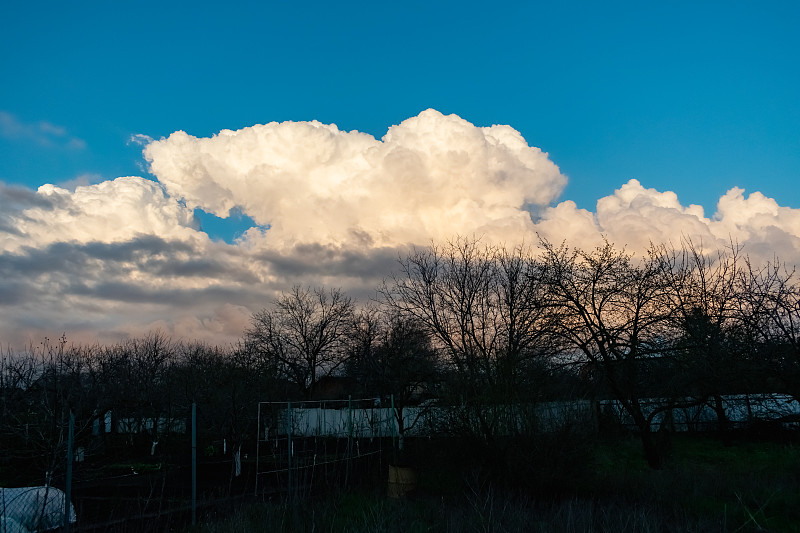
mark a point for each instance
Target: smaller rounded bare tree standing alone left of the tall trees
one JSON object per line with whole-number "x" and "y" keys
{"x": 305, "y": 333}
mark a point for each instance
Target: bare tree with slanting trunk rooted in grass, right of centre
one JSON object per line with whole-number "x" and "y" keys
{"x": 613, "y": 311}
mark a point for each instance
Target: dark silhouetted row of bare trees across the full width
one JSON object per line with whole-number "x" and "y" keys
{"x": 474, "y": 327}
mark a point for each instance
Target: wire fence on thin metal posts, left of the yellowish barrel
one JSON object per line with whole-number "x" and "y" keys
{"x": 137, "y": 474}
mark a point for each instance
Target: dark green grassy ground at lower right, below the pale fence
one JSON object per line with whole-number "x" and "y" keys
{"x": 708, "y": 486}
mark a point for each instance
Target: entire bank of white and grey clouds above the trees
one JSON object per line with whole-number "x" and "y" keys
{"x": 124, "y": 256}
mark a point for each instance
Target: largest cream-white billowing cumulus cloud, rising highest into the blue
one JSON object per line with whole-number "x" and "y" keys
{"x": 431, "y": 177}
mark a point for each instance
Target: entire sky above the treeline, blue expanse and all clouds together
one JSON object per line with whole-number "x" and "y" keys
{"x": 699, "y": 99}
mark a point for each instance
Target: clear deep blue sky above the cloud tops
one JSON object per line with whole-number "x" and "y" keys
{"x": 693, "y": 97}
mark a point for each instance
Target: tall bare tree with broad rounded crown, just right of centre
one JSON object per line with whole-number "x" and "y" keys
{"x": 484, "y": 309}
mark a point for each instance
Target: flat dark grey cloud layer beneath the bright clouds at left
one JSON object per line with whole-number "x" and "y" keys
{"x": 111, "y": 287}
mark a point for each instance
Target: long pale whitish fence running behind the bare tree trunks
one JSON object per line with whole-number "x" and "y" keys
{"x": 686, "y": 414}
